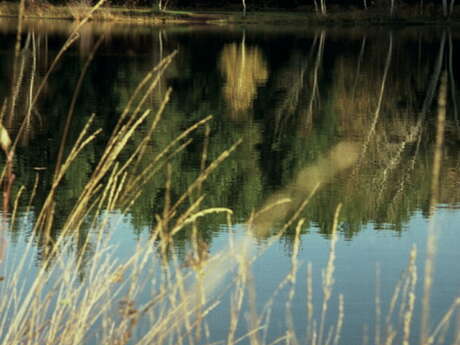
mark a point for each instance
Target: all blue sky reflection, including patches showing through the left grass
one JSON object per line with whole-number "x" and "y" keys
{"x": 355, "y": 272}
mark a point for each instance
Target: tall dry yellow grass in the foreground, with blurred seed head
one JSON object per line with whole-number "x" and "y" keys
{"x": 145, "y": 300}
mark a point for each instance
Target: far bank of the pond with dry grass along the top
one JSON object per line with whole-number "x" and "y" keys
{"x": 305, "y": 15}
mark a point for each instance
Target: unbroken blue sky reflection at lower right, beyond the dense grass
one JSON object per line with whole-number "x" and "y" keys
{"x": 355, "y": 274}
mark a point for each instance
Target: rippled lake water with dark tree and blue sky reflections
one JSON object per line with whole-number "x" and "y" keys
{"x": 330, "y": 115}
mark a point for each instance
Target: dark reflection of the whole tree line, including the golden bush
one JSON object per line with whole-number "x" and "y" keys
{"x": 293, "y": 105}
